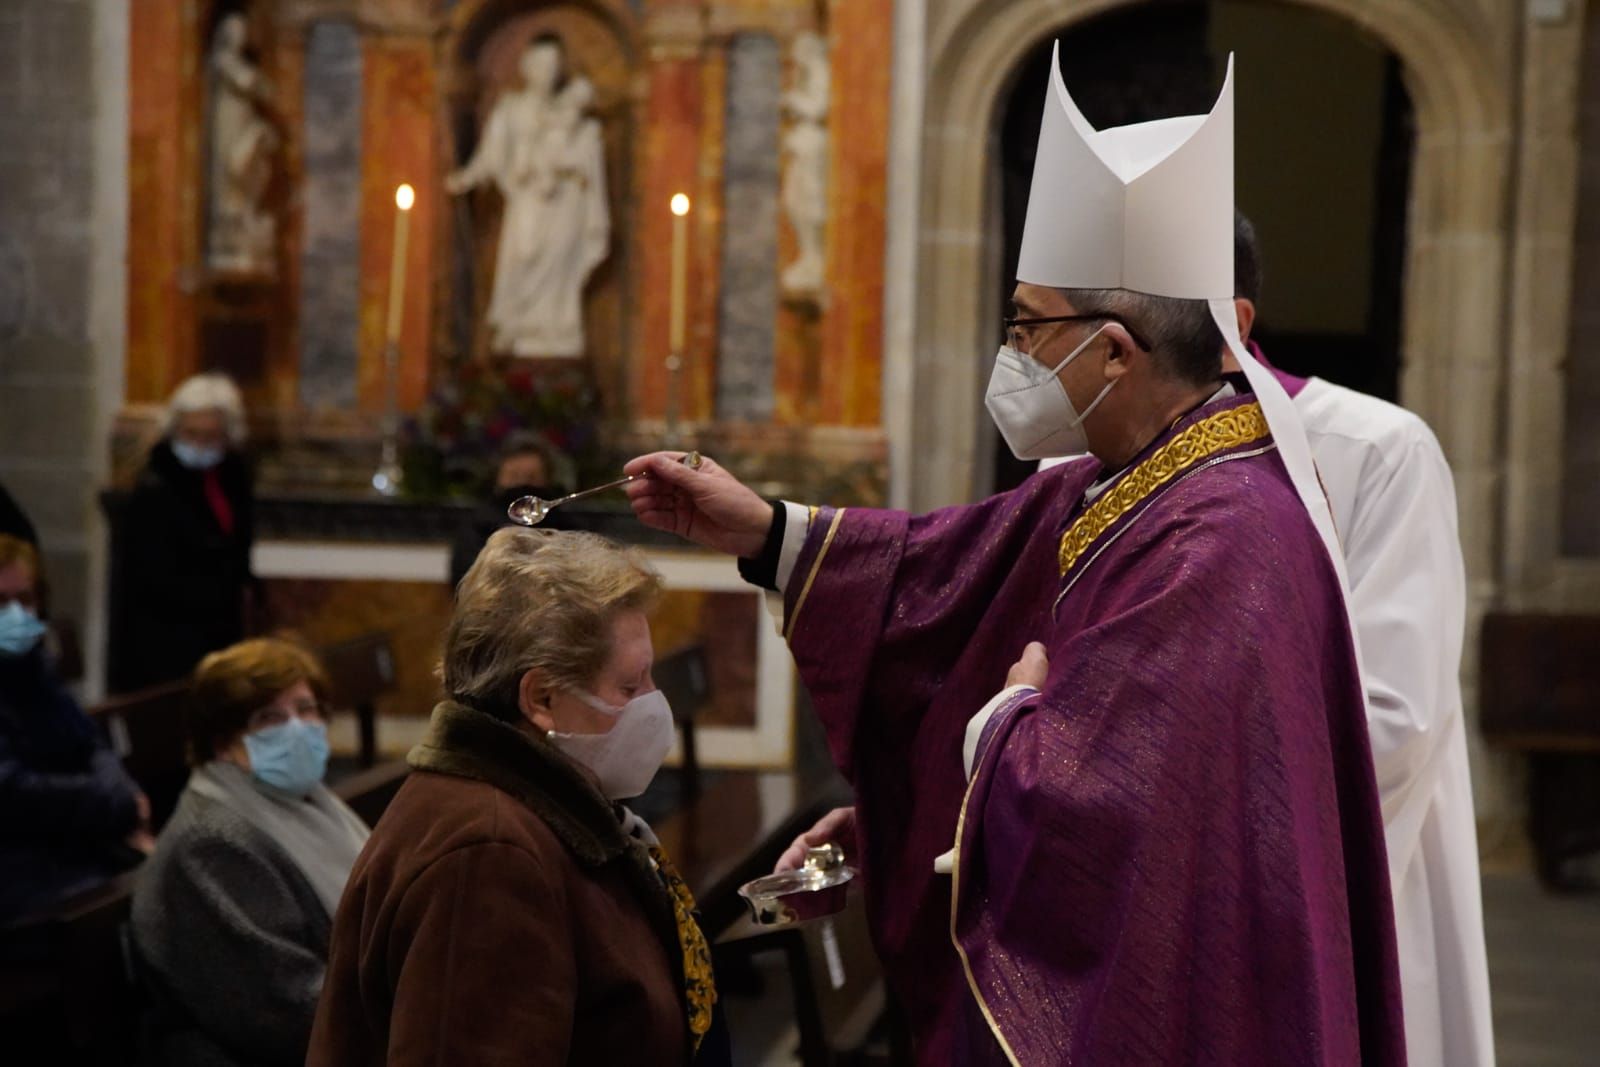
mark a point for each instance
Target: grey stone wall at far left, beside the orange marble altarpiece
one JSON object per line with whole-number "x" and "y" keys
{"x": 54, "y": 340}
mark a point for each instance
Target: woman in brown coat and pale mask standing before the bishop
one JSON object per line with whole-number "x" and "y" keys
{"x": 508, "y": 911}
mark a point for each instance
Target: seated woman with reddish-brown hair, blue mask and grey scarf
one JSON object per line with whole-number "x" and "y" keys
{"x": 231, "y": 919}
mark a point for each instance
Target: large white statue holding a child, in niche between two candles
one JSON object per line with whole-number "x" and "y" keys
{"x": 546, "y": 156}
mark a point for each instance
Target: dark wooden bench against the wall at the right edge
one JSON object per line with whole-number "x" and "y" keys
{"x": 1540, "y": 693}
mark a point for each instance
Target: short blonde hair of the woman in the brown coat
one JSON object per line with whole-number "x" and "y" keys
{"x": 540, "y": 601}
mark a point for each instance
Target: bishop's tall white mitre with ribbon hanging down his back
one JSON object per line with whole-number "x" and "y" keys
{"x": 1151, "y": 209}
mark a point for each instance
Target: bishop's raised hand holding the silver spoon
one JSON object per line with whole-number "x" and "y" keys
{"x": 706, "y": 506}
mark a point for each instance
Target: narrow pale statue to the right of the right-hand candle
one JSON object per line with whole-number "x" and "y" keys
{"x": 806, "y": 169}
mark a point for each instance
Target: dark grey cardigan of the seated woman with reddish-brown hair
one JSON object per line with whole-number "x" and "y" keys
{"x": 231, "y": 940}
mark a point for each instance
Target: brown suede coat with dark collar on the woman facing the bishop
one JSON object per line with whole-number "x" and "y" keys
{"x": 500, "y": 916}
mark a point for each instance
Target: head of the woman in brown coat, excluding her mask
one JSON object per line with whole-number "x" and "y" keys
{"x": 545, "y": 620}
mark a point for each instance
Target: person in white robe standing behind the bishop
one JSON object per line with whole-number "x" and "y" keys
{"x": 1394, "y": 502}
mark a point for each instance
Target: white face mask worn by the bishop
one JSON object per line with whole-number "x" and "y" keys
{"x": 1031, "y": 406}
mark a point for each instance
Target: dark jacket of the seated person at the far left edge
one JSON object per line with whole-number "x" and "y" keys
{"x": 66, "y": 804}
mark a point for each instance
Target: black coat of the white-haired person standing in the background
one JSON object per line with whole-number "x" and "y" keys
{"x": 180, "y": 575}
